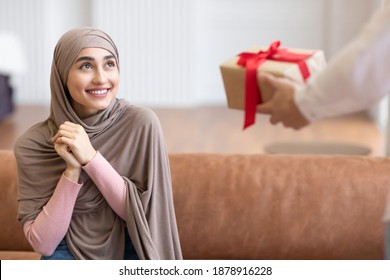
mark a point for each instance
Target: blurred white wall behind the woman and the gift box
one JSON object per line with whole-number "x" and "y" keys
{"x": 172, "y": 49}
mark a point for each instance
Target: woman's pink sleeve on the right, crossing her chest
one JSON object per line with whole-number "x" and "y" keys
{"x": 110, "y": 183}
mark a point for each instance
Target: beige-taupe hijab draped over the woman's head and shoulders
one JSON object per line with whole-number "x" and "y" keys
{"x": 130, "y": 138}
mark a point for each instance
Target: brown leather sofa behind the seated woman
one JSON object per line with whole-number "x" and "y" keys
{"x": 256, "y": 206}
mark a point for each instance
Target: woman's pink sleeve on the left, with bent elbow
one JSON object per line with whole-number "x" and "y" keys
{"x": 50, "y": 226}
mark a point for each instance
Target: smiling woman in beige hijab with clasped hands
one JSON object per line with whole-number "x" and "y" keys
{"x": 94, "y": 178}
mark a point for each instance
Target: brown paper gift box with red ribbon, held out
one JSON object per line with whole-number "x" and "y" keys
{"x": 241, "y": 74}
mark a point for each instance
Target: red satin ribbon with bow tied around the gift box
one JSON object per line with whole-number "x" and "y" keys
{"x": 252, "y": 61}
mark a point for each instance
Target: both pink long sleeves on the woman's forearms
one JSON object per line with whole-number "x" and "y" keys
{"x": 50, "y": 226}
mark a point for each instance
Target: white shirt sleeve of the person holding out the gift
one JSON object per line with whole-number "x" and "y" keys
{"x": 356, "y": 78}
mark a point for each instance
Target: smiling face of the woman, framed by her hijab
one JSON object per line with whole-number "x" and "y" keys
{"x": 93, "y": 81}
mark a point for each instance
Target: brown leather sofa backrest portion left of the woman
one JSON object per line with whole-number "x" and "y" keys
{"x": 11, "y": 234}
